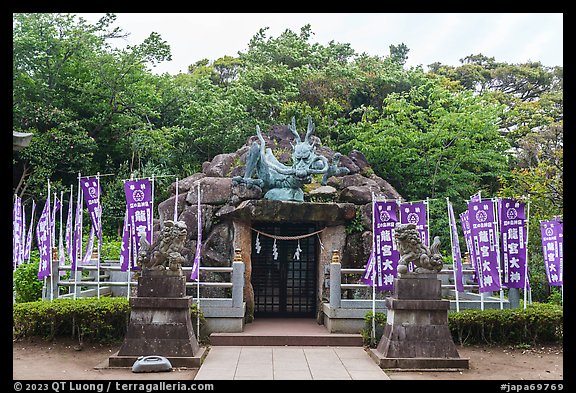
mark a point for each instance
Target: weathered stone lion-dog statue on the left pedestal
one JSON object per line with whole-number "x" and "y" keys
{"x": 165, "y": 253}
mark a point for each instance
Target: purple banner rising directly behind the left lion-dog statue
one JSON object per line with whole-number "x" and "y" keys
{"x": 139, "y": 211}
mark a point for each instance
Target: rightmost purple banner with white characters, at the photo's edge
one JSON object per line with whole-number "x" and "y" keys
{"x": 553, "y": 250}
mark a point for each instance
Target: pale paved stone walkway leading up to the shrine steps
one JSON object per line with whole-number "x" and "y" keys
{"x": 288, "y": 362}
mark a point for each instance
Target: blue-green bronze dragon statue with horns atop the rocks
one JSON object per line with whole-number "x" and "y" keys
{"x": 284, "y": 183}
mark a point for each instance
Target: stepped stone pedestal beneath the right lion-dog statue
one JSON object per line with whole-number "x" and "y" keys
{"x": 416, "y": 335}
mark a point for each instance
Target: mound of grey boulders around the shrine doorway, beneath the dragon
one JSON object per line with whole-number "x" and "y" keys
{"x": 226, "y": 207}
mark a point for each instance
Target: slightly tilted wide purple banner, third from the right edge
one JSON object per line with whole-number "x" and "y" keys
{"x": 484, "y": 231}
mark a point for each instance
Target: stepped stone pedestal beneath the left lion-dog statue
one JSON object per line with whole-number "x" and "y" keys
{"x": 160, "y": 323}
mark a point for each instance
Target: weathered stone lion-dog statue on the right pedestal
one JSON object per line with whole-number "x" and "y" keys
{"x": 424, "y": 259}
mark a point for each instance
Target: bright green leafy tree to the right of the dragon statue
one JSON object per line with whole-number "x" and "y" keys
{"x": 433, "y": 142}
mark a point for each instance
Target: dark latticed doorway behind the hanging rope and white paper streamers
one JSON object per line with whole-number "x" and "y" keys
{"x": 284, "y": 286}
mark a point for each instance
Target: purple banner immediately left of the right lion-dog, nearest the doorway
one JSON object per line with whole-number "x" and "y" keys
{"x": 383, "y": 261}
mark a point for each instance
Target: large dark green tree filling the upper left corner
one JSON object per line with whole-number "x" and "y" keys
{"x": 79, "y": 97}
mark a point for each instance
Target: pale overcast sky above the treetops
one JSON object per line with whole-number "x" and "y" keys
{"x": 431, "y": 37}
